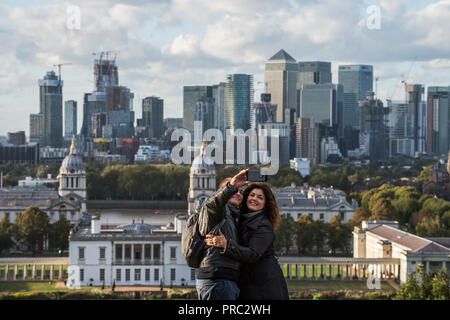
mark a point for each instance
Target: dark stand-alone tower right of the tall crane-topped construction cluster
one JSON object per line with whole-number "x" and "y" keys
{"x": 153, "y": 115}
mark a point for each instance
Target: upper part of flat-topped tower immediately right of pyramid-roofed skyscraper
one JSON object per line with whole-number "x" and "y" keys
{"x": 313, "y": 72}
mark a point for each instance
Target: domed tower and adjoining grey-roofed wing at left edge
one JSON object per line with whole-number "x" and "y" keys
{"x": 69, "y": 201}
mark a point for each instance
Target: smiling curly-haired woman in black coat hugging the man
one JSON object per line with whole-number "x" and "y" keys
{"x": 261, "y": 276}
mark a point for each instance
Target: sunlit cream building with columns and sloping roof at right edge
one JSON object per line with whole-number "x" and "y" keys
{"x": 384, "y": 239}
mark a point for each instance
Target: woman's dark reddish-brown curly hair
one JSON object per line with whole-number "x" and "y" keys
{"x": 270, "y": 208}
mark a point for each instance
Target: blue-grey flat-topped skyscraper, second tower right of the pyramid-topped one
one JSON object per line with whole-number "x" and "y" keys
{"x": 357, "y": 80}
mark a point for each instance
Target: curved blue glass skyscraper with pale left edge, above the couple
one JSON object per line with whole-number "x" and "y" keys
{"x": 239, "y": 97}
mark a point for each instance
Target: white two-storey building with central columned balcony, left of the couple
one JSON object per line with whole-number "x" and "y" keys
{"x": 137, "y": 254}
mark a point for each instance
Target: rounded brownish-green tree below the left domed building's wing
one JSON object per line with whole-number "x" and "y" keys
{"x": 31, "y": 227}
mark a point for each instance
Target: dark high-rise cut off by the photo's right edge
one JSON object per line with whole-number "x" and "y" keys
{"x": 438, "y": 120}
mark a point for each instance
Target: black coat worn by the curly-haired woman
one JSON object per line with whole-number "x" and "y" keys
{"x": 261, "y": 276}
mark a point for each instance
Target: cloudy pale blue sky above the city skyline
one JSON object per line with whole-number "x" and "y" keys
{"x": 163, "y": 45}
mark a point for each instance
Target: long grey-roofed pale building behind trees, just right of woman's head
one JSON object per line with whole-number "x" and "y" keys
{"x": 316, "y": 202}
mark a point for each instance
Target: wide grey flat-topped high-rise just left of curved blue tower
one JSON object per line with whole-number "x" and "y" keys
{"x": 191, "y": 94}
